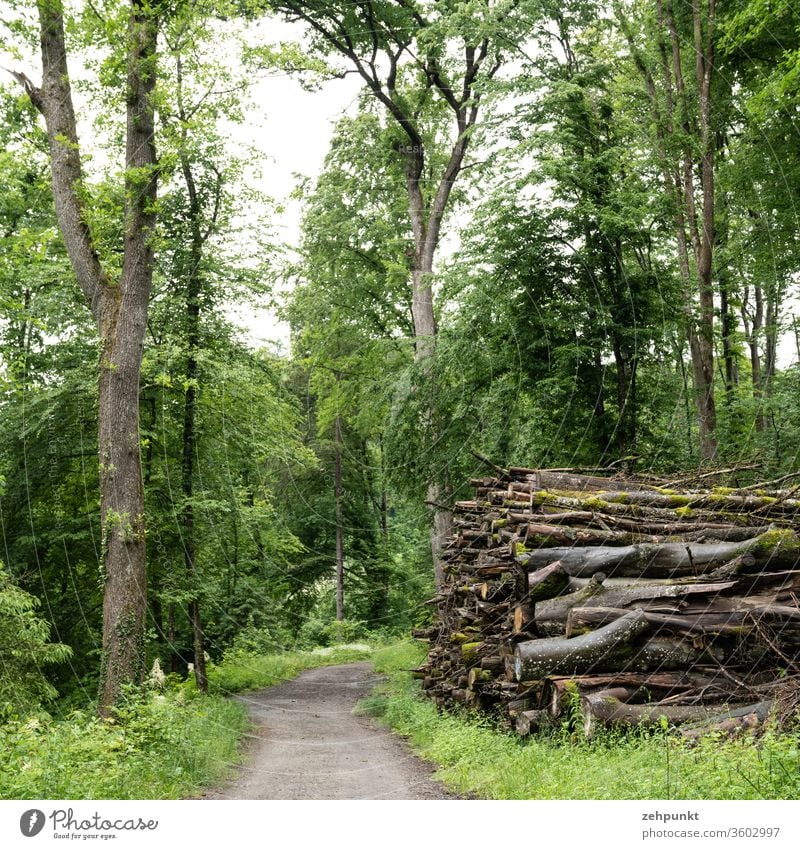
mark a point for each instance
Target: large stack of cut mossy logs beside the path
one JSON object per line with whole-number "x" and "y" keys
{"x": 640, "y": 603}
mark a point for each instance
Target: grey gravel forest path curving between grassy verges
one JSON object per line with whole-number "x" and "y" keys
{"x": 306, "y": 744}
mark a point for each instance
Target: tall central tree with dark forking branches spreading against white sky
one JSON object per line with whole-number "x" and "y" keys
{"x": 417, "y": 59}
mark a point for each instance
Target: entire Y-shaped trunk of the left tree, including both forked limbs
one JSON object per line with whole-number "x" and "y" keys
{"x": 120, "y": 310}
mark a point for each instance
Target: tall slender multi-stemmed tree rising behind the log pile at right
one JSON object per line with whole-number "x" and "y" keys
{"x": 676, "y": 63}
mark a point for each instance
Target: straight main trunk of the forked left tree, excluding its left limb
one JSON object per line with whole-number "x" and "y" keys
{"x": 123, "y": 321}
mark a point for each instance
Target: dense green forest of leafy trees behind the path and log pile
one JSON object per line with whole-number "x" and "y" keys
{"x": 548, "y": 234}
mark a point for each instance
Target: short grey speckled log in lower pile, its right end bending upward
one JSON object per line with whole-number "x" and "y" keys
{"x": 557, "y": 656}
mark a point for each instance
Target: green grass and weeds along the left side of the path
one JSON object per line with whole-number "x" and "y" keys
{"x": 159, "y": 746}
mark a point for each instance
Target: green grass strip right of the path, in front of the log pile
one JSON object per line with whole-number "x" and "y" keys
{"x": 476, "y": 759}
